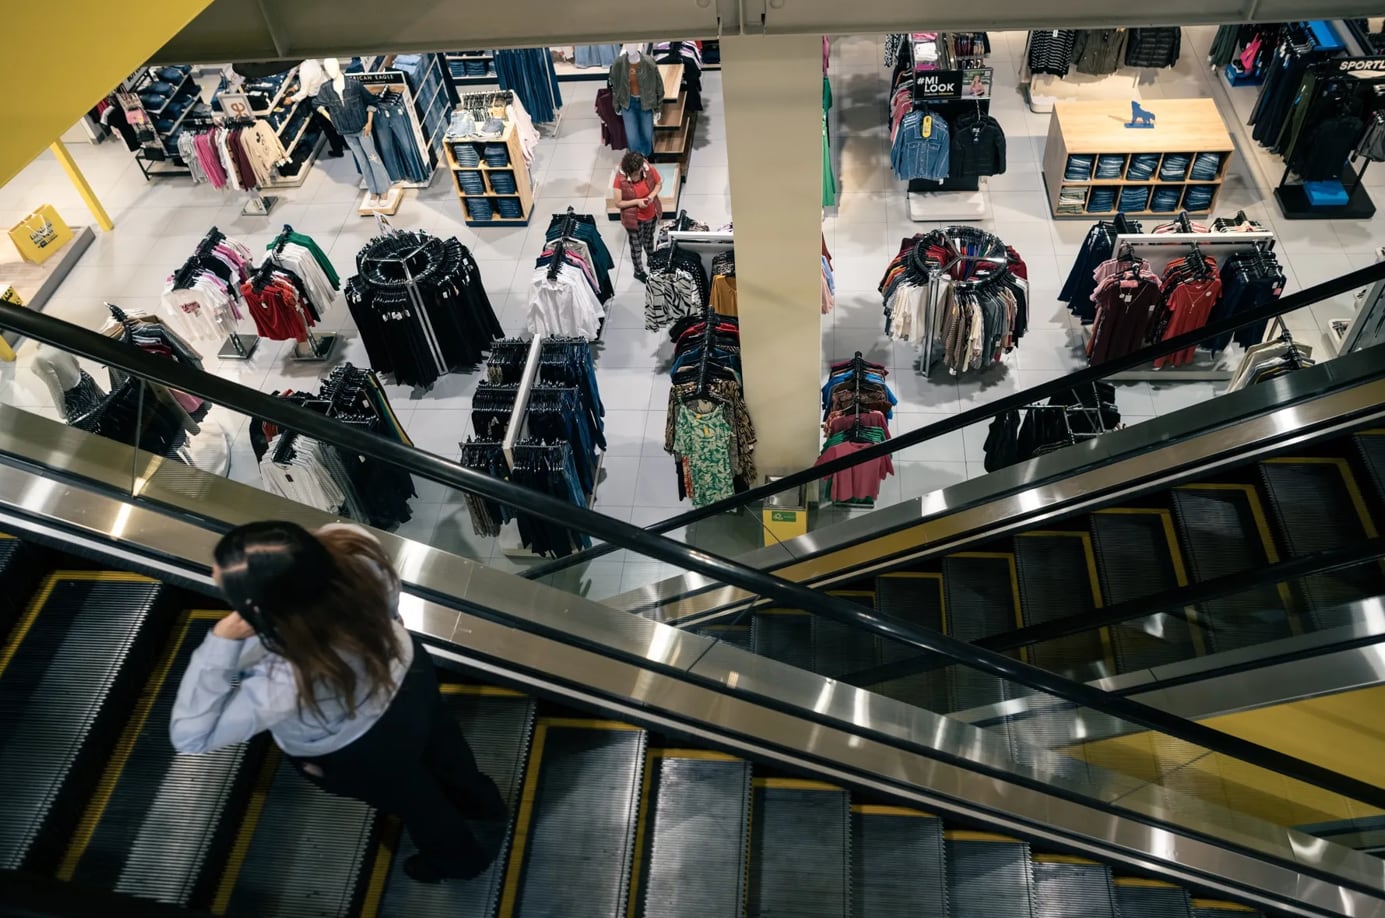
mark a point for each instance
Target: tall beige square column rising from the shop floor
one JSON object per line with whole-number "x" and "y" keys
{"x": 774, "y": 98}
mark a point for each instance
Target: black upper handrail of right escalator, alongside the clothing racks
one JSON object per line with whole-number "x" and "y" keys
{"x": 1033, "y": 395}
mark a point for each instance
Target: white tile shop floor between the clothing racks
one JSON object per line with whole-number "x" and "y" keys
{"x": 159, "y": 224}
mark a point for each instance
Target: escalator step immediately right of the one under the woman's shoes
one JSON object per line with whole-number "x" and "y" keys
{"x": 577, "y": 823}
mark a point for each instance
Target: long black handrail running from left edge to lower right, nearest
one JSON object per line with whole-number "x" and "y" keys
{"x": 294, "y": 417}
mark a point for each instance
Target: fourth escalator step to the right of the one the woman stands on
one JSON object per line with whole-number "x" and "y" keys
{"x": 897, "y": 863}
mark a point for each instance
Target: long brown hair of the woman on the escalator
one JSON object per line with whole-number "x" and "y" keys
{"x": 318, "y": 600}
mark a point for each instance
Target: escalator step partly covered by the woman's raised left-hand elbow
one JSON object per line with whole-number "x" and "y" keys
{"x": 159, "y": 816}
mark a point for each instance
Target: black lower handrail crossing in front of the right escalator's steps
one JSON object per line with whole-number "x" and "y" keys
{"x": 1170, "y": 600}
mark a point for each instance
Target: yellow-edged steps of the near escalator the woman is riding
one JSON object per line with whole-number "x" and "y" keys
{"x": 607, "y": 819}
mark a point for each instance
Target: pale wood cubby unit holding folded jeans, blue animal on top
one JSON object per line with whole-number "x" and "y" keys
{"x": 1183, "y": 129}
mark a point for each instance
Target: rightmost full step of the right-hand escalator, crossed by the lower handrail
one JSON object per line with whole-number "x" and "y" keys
{"x": 1318, "y": 507}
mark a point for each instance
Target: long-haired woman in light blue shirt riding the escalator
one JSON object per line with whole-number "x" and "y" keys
{"x": 315, "y": 653}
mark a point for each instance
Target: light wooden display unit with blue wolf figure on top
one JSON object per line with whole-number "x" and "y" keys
{"x": 1183, "y": 127}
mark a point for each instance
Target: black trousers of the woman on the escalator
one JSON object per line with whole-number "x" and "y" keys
{"x": 416, "y": 764}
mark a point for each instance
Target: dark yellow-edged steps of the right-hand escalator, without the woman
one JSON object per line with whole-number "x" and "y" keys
{"x": 1312, "y": 499}
